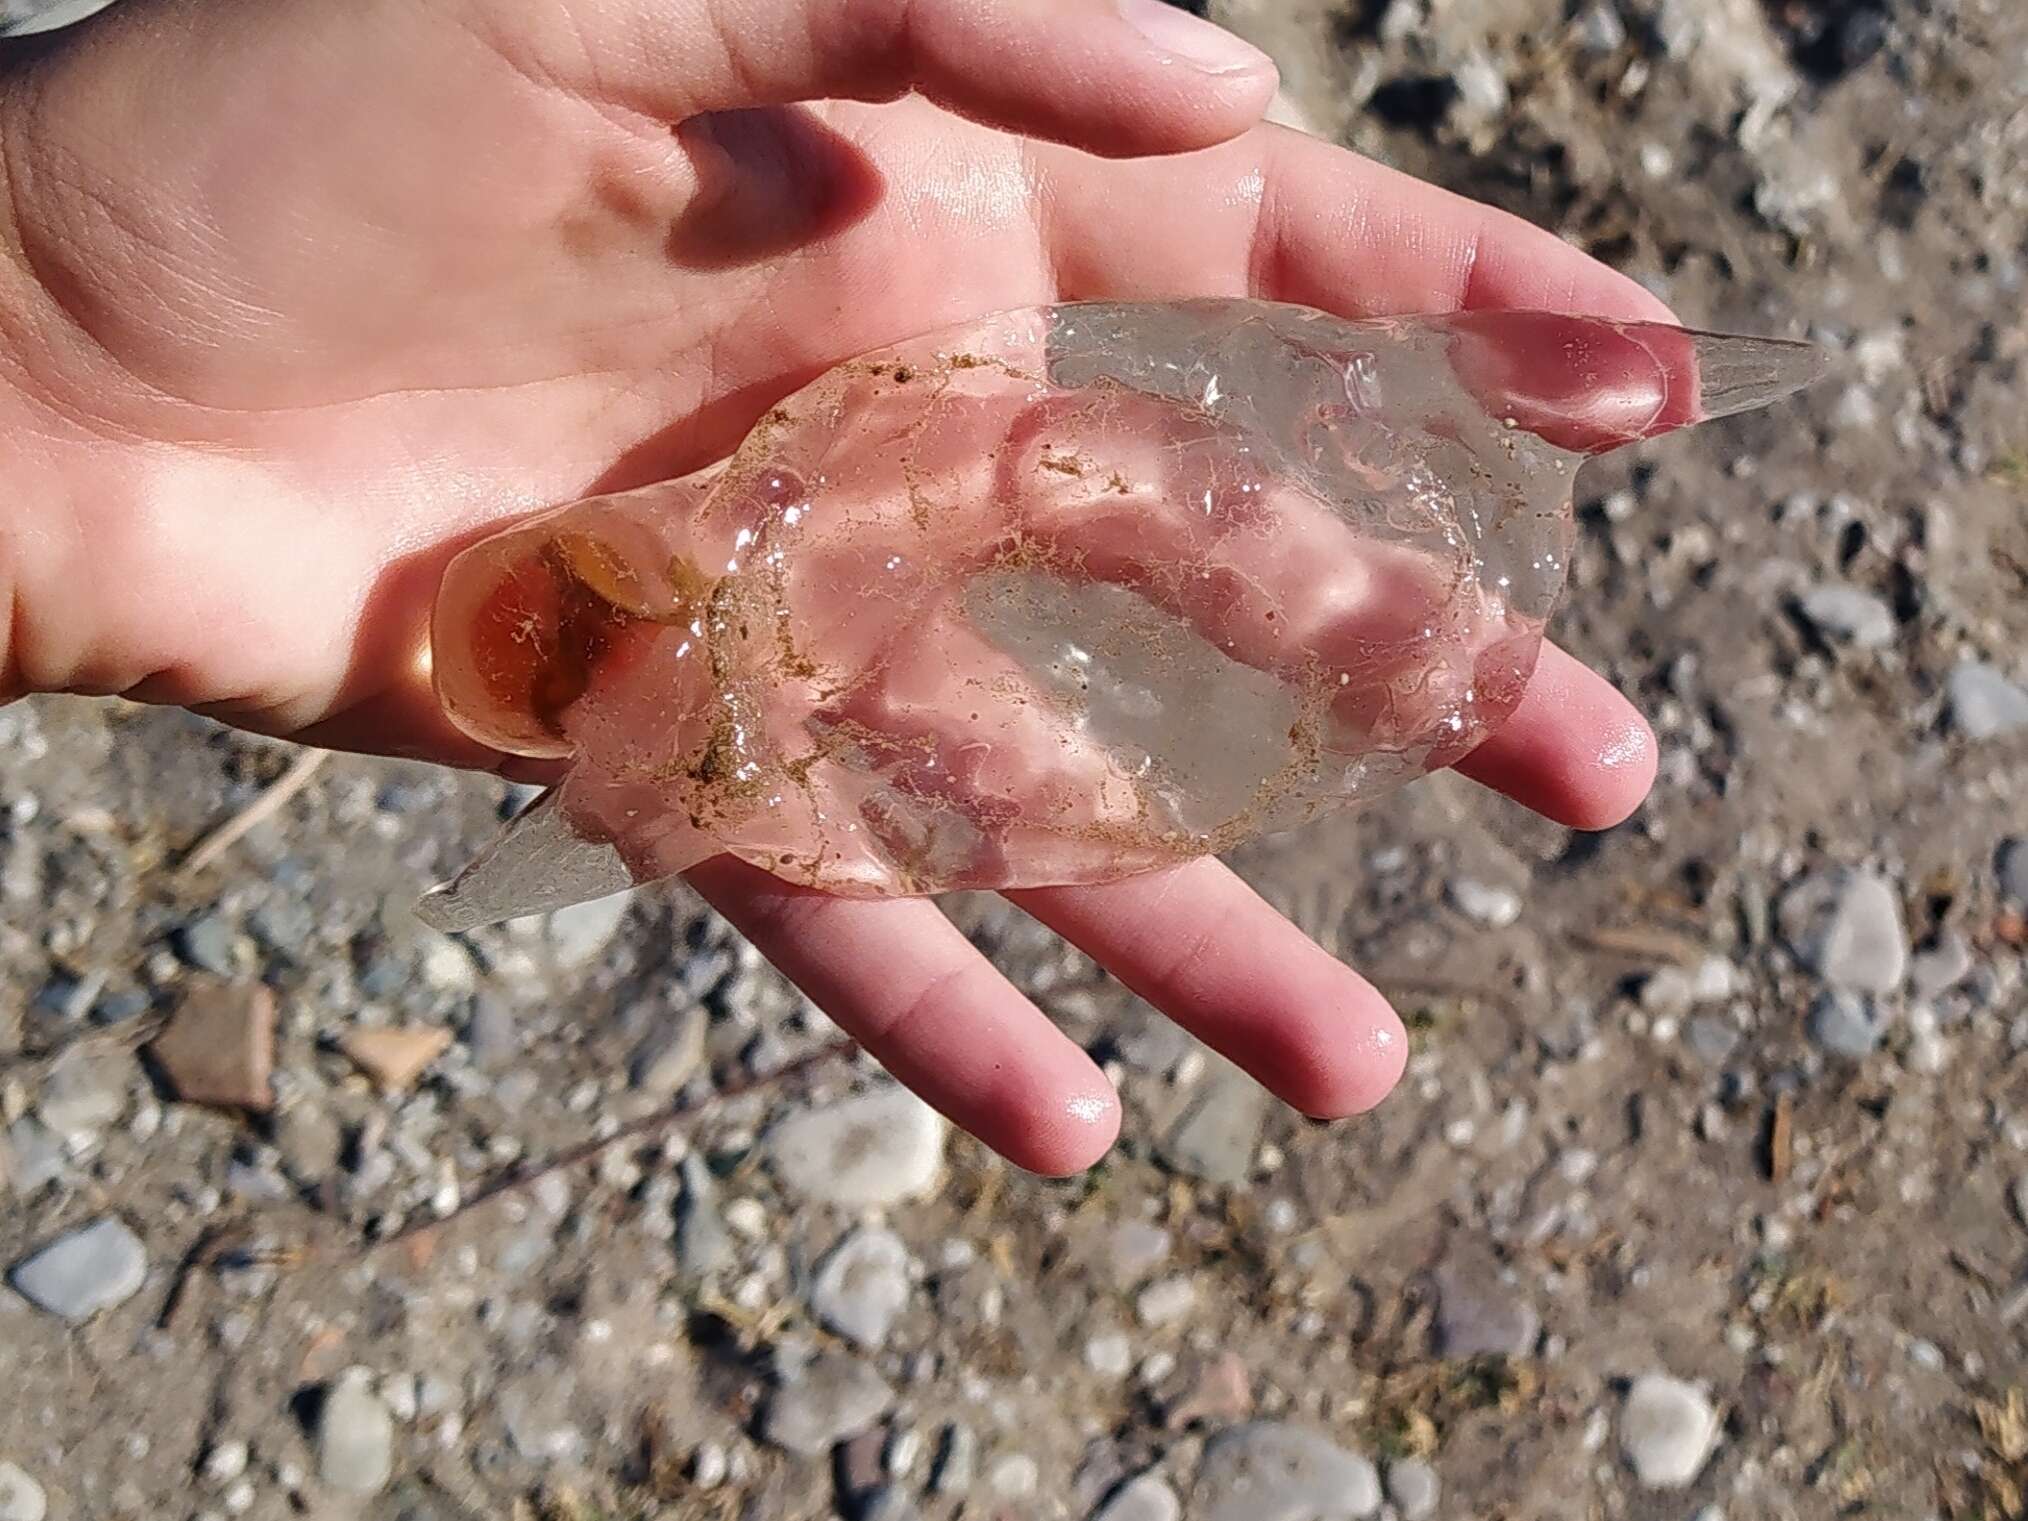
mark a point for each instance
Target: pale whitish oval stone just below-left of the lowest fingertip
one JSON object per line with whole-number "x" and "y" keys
{"x": 873, "y": 1149}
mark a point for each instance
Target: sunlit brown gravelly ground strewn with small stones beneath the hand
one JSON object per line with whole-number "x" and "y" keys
{"x": 1707, "y": 1193}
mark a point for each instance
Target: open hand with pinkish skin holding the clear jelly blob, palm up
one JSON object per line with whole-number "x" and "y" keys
{"x": 297, "y": 299}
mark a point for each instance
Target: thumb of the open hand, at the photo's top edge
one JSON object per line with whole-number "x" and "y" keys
{"x": 1116, "y": 78}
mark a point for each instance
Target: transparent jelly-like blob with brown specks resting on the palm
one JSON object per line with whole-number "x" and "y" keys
{"x": 1058, "y": 597}
